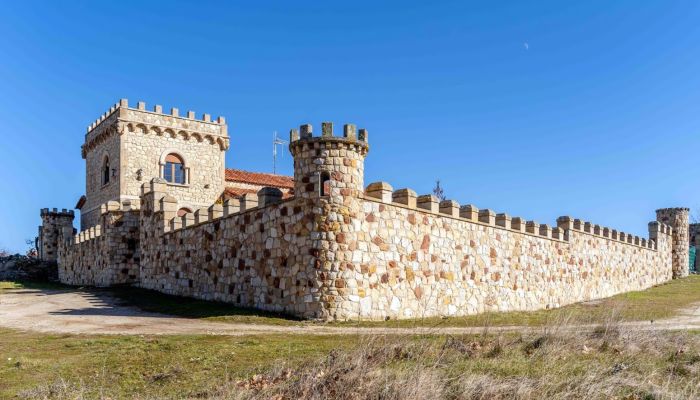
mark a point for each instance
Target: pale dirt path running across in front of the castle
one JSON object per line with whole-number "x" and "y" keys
{"x": 84, "y": 312}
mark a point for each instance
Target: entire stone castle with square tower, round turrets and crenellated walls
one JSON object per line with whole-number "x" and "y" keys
{"x": 162, "y": 212}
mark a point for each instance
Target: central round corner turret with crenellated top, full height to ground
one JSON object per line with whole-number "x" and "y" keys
{"x": 329, "y": 182}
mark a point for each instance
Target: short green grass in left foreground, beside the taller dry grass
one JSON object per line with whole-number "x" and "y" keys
{"x": 150, "y": 367}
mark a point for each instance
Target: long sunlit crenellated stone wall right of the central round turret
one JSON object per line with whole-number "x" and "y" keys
{"x": 414, "y": 257}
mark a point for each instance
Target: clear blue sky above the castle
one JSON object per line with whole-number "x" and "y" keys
{"x": 597, "y": 117}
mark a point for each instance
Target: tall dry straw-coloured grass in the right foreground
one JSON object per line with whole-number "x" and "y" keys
{"x": 606, "y": 363}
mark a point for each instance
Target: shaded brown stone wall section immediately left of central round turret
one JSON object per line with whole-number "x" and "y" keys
{"x": 262, "y": 257}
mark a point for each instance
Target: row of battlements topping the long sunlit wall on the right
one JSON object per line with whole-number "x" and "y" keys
{"x": 383, "y": 192}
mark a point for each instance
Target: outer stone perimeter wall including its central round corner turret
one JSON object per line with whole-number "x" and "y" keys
{"x": 338, "y": 250}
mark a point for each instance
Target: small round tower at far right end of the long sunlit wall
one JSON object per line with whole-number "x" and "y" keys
{"x": 677, "y": 218}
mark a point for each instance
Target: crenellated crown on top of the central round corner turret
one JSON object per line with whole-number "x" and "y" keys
{"x": 351, "y": 136}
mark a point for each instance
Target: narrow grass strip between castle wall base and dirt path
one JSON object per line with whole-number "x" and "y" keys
{"x": 662, "y": 301}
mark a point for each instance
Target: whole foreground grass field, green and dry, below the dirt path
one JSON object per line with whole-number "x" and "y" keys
{"x": 608, "y": 363}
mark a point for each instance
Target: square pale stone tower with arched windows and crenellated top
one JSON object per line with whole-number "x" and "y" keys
{"x": 127, "y": 147}
